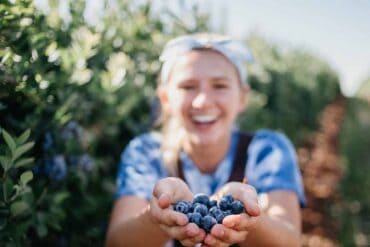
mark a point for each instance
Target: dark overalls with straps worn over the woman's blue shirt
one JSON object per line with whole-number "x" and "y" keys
{"x": 239, "y": 165}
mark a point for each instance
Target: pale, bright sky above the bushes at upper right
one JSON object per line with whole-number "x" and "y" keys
{"x": 336, "y": 30}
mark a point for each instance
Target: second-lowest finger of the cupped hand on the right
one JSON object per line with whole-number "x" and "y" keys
{"x": 228, "y": 235}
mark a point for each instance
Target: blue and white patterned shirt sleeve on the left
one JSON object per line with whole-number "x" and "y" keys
{"x": 139, "y": 168}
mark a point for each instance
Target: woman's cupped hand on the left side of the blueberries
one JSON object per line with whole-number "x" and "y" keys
{"x": 166, "y": 192}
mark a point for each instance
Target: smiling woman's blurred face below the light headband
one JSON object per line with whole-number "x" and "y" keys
{"x": 205, "y": 95}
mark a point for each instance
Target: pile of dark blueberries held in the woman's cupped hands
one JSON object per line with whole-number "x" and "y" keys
{"x": 206, "y": 213}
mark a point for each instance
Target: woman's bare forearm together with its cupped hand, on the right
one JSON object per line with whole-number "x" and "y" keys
{"x": 277, "y": 224}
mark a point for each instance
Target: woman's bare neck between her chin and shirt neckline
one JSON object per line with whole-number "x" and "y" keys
{"x": 207, "y": 157}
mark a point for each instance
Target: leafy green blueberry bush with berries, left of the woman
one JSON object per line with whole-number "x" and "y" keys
{"x": 83, "y": 88}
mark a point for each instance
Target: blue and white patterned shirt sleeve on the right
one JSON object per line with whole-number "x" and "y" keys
{"x": 272, "y": 164}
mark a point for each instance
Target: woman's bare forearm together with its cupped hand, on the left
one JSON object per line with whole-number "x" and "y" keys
{"x": 134, "y": 221}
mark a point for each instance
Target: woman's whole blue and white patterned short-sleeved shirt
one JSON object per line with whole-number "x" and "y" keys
{"x": 272, "y": 165}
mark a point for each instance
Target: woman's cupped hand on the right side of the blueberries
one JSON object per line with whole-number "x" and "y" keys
{"x": 235, "y": 228}
